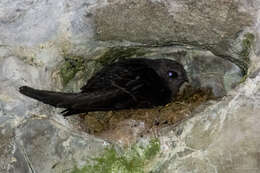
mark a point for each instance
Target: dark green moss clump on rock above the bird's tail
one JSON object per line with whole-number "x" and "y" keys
{"x": 70, "y": 67}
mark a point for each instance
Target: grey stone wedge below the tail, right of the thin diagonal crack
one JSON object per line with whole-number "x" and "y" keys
{"x": 58, "y": 147}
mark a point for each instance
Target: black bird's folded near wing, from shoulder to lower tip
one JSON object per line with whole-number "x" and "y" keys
{"x": 140, "y": 87}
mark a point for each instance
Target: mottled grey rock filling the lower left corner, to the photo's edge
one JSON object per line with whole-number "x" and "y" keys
{"x": 43, "y": 145}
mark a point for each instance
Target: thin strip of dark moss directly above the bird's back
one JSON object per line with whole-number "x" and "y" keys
{"x": 120, "y": 53}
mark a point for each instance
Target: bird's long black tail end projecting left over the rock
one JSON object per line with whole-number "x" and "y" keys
{"x": 57, "y": 99}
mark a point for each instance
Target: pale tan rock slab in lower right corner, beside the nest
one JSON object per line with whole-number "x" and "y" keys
{"x": 222, "y": 138}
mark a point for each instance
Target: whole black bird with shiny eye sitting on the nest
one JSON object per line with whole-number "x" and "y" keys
{"x": 125, "y": 84}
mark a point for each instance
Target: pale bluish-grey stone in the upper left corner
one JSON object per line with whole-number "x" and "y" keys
{"x": 34, "y": 22}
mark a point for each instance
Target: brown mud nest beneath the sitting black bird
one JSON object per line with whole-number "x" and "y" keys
{"x": 131, "y": 124}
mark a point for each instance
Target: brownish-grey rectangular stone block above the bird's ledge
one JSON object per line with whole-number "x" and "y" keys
{"x": 201, "y": 22}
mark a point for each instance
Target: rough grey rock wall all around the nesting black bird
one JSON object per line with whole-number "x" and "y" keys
{"x": 36, "y": 37}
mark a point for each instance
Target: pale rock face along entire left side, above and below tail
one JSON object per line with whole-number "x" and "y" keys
{"x": 34, "y": 37}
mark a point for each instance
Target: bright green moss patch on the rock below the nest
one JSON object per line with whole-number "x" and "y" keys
{"x": 131, "y": 161}
